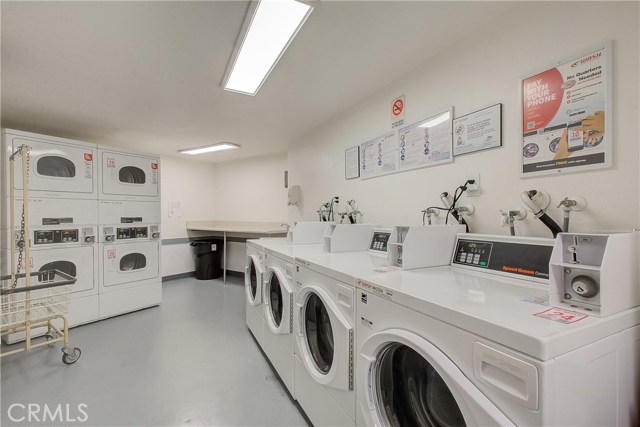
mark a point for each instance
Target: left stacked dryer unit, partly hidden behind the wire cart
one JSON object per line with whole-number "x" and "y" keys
{"x": 63, "y": 214}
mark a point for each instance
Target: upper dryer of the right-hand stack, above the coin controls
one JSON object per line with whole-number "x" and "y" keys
{"x": 128, "y": 176}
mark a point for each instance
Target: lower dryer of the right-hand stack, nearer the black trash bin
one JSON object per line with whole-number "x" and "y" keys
{"x": 129, "y": 256}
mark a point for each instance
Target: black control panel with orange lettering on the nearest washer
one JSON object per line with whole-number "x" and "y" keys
{"x": 527, "y": 259}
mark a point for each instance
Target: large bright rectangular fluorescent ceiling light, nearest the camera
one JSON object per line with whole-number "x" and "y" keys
{"x": 267, "y": 31}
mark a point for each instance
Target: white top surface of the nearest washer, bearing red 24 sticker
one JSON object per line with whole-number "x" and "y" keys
{"x": 501, "y": 309}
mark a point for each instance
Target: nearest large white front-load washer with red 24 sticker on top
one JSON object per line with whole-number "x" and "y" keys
{"x": 474, "y": 344}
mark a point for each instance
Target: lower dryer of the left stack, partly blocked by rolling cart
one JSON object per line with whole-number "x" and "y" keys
{"x": 62, "y": 236}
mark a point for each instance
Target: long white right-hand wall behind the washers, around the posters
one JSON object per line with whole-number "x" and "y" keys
{"x": 475, "y": 72}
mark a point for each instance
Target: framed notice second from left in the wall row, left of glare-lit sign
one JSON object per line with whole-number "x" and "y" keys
{"x": 378, "y": 156}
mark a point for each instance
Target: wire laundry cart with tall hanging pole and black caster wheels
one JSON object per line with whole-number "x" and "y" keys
{"x": 32, "y": 300}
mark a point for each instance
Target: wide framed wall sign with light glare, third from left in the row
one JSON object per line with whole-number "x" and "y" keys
{"x": 426, "y": 143}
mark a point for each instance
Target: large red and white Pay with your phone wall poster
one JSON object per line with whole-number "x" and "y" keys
{"x": 566, "y": 116}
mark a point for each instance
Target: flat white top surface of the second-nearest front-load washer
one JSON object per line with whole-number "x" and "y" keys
{"x": 346, "y": 266}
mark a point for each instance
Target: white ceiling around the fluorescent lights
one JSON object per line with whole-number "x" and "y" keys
{"x": 146, "y": 75}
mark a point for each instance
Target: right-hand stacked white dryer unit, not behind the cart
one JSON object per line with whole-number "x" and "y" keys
{"x": 129, "y": 231}
